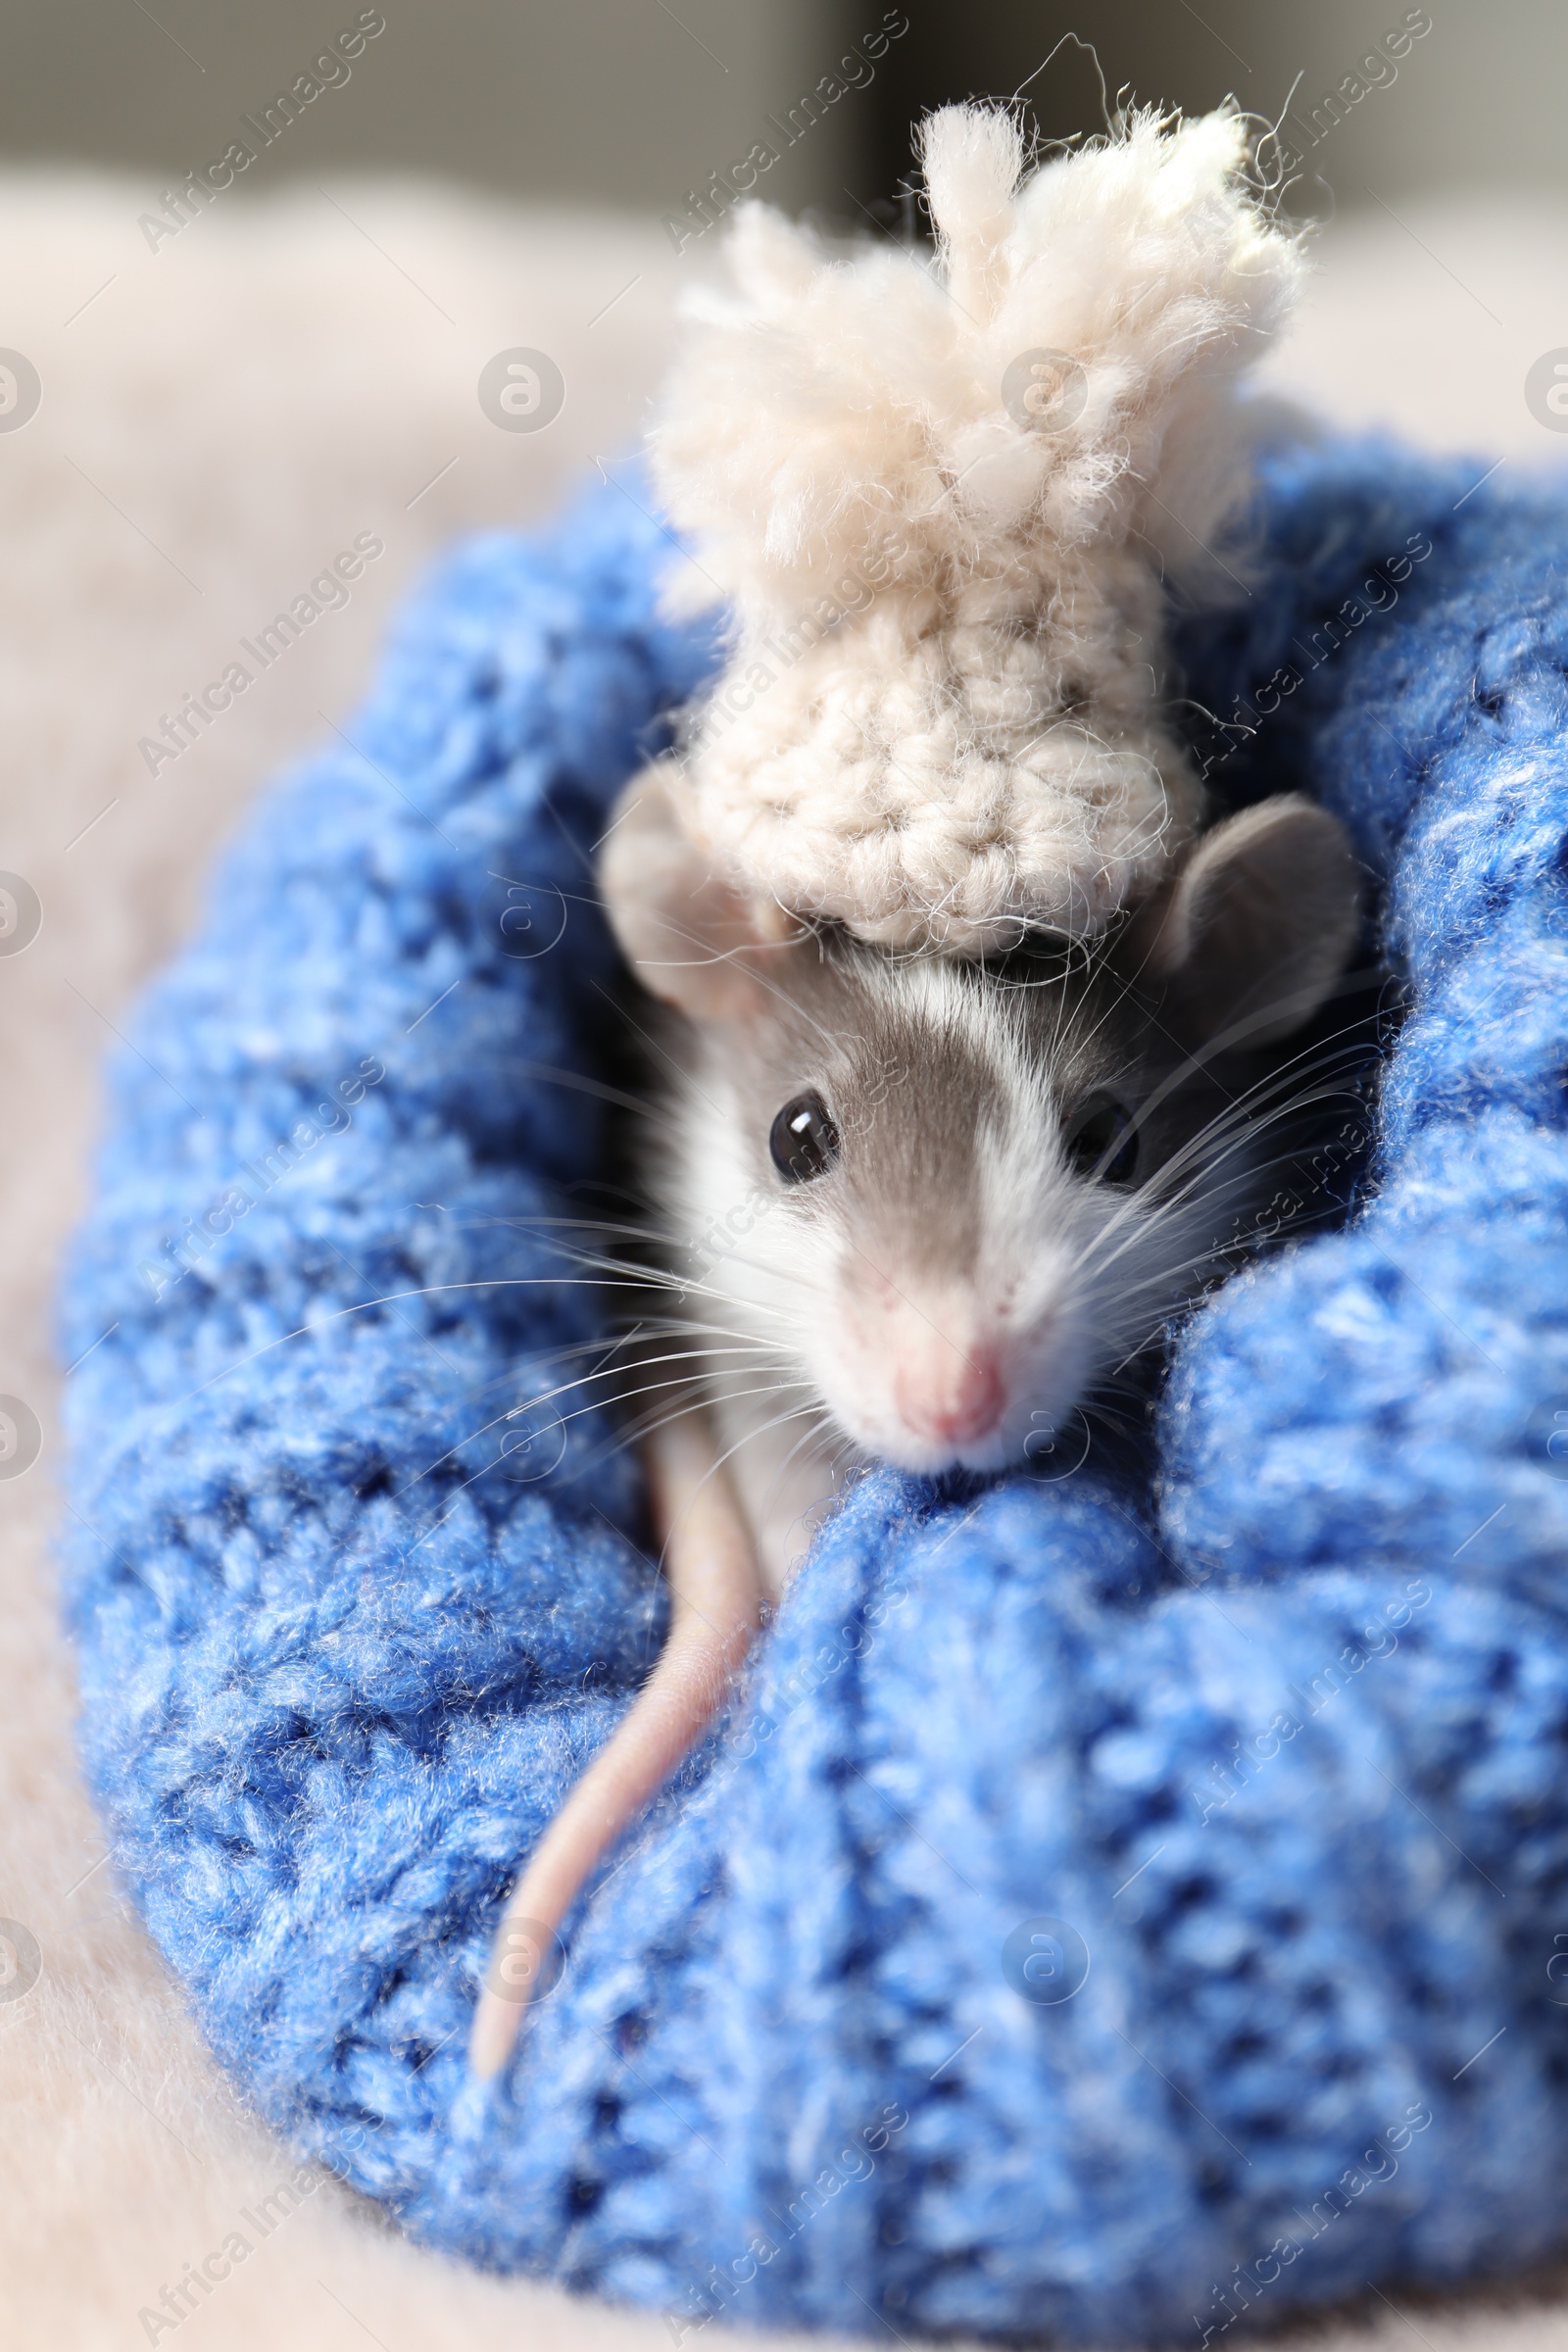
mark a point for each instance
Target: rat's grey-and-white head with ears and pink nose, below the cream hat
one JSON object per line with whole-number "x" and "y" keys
{"x": 944, "y": 1201}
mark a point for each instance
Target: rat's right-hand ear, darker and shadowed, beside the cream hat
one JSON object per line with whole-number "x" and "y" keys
{"x": 1257, "y": 928}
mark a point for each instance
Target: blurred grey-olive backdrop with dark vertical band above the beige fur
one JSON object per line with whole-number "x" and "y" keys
{"x": 634, "y": 102}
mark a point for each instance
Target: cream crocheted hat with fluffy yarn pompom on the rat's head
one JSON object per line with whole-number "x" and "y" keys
{"x": 942, "y": 500}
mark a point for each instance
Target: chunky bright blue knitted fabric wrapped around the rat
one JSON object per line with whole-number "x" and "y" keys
{"x": 1282, "y": 1742}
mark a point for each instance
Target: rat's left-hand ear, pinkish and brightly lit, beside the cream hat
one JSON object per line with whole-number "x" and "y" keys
{"x": 685, "y": 933}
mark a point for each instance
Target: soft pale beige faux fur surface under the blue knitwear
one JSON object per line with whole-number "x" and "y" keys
{"x": 215, "y": 427}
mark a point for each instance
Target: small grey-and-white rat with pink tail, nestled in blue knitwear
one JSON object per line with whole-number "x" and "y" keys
{"x": 970, "y": 1194}
